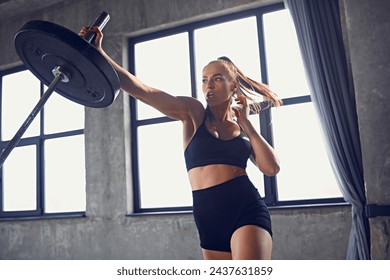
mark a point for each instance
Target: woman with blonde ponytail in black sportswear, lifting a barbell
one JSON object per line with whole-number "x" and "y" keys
{"x": 232, "y": 219}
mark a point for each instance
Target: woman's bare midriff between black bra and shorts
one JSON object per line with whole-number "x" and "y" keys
{"x": 204, "y": 177}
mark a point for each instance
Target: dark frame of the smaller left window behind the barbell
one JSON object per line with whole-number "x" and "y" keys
{"x": 38, "y": 141}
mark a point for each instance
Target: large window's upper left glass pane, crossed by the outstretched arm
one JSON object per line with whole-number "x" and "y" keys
{"x": 163, "y": 63}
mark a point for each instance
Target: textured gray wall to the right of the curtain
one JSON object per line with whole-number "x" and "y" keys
{"x": 368, "y": 27}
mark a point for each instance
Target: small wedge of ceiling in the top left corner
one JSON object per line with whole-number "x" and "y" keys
{"x": 10, "y": 8}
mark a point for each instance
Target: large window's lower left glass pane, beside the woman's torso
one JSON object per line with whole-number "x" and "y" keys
{"x": 162, "y": 172}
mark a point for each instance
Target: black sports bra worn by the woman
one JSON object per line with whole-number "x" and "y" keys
{"x": 205, "y": 149}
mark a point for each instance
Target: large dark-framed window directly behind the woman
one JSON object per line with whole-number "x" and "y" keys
{"x": 262, "y": 42}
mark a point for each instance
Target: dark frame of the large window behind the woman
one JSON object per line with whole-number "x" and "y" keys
{"x": 270, "y": 183}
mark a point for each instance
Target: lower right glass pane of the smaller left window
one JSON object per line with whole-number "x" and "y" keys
{"x": 65, "y": 174}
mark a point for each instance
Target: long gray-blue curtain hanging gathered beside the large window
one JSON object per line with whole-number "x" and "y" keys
{"x": 318, "y": 27}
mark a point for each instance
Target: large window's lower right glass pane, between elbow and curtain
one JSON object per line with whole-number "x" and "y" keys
{"x": 305, "y": 169}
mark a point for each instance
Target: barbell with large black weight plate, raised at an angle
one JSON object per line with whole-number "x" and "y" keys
{"x": 68, "y": 64}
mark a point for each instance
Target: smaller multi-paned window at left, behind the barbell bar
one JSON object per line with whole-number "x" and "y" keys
{"x": 44, "y": 175}
